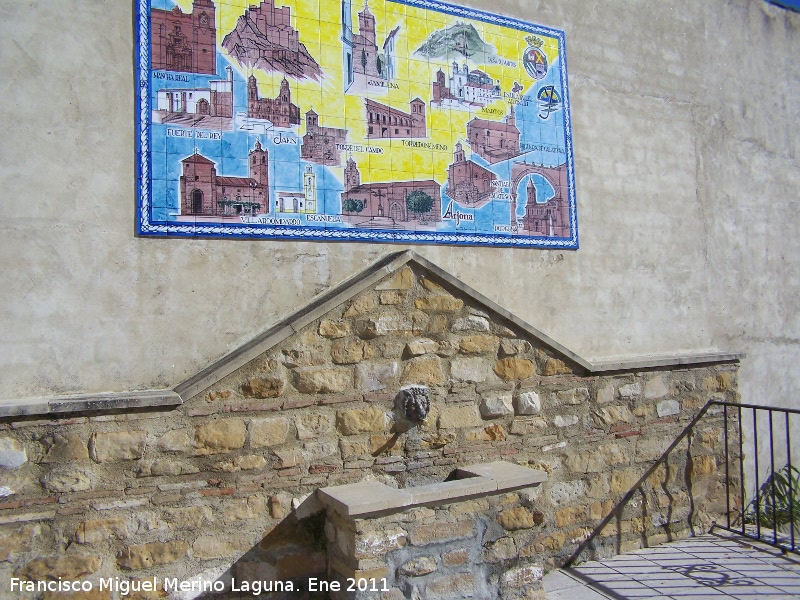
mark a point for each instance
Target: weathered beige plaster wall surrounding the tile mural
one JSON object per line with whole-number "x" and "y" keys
{"x": 684, "y": 121}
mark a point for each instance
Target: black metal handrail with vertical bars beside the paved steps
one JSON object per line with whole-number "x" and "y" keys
{"x": 742, "y": 530}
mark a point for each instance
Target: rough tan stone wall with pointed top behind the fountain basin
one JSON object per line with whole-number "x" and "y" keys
{"x": 208, "y": 489}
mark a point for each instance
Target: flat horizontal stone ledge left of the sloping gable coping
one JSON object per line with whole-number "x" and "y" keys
{"x": 88, "y": 402}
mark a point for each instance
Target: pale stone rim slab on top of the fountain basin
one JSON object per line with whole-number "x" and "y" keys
{"x": 366, "y": 497}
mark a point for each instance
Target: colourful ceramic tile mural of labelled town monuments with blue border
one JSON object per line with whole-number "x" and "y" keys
{"x": 408, "y": 121}
